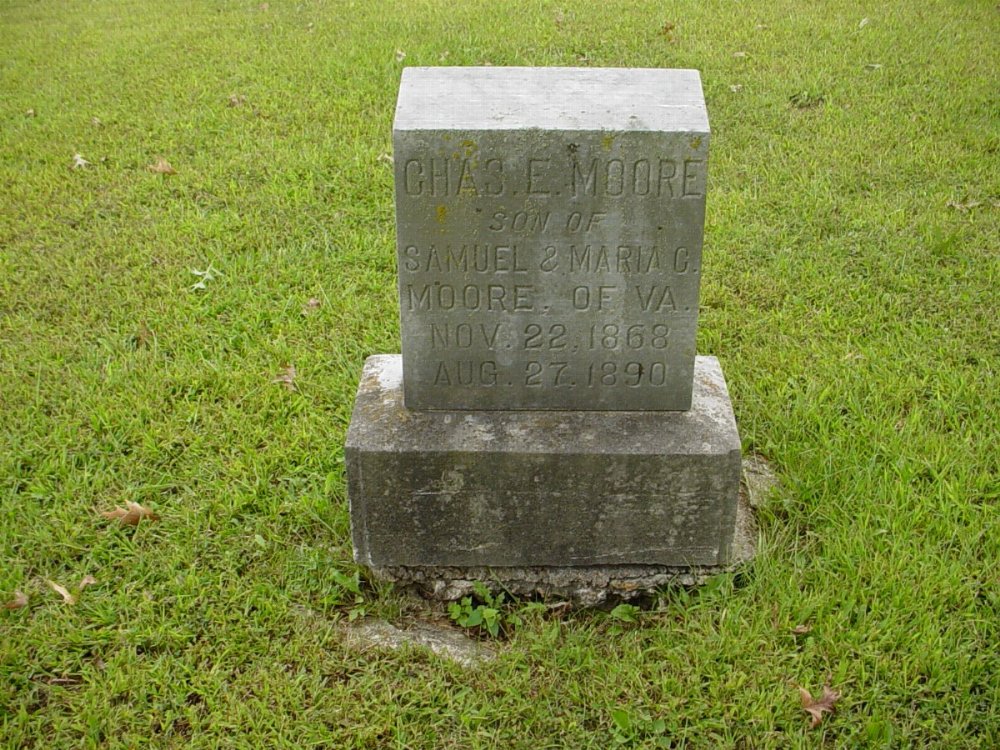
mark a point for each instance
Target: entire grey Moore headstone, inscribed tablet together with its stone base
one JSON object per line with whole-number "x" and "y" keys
{"x": 548, "y": 418}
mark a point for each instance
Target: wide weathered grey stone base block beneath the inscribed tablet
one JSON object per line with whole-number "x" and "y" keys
{"x": 526, "y": 489}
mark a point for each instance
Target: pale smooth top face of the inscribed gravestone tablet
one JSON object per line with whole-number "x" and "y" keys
{"x": 490, "y": 98}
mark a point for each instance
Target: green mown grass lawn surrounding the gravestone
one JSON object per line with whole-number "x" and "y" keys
{"x": 197, "y": 253}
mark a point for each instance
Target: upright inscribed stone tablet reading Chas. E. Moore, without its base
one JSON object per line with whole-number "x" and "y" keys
{"x": 549, "y": 231}
